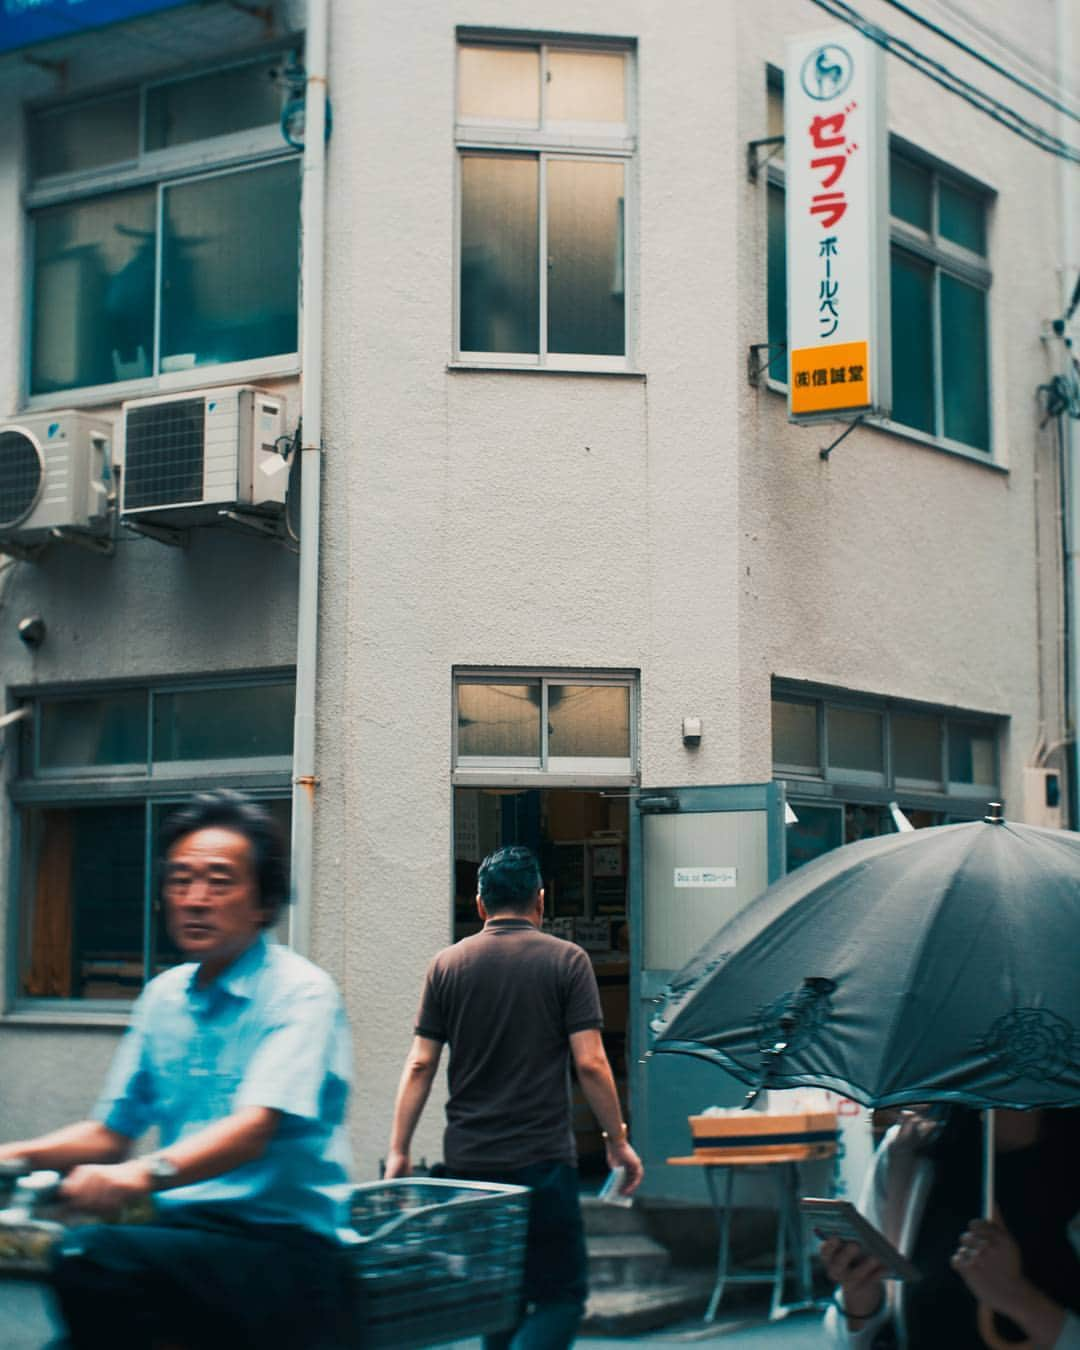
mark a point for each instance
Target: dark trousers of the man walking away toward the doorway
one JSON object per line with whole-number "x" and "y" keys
{"x": 556, "y": 1263}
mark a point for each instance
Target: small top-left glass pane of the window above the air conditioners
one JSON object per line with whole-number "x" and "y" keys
{"x": 88, "y": 136}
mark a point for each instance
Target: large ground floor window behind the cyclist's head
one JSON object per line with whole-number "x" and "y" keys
{"x": 99, "y": 773}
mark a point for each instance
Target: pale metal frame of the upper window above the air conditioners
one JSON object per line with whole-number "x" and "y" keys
{"x": 242, "y": 152}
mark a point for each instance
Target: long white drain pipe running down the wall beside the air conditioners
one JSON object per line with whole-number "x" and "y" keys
{"x": 313, "y": 215}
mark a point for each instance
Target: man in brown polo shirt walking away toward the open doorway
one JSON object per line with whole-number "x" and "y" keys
{"x": 515, "y": 1006}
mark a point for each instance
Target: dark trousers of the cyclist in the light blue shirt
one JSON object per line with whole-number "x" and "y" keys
{"x": 226, "y": 1287}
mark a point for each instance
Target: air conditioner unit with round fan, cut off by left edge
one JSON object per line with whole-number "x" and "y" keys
{"x": 56, "y": 473}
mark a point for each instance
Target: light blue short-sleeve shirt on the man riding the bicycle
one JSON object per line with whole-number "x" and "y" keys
{"x": 271, "y": 1032}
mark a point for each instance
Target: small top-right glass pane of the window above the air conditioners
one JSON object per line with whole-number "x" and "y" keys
{"x": 214, "y": 105}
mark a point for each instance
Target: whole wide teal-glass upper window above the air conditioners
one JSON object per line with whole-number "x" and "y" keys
{"x": 165, "y": 232}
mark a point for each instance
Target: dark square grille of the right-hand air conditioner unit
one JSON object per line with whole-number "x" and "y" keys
{"x": 164, "y": 454}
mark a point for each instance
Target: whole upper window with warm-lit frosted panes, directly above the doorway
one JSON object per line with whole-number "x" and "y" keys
{"x": 545, "y": 161}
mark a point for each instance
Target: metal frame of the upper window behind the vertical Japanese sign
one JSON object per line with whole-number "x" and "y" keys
{"x": 943, "y": 256}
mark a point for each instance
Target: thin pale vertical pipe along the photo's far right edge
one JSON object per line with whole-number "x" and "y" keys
{"x": 1070, "y": 448}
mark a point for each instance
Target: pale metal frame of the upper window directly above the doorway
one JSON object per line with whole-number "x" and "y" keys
{"x": 580, "y": 142}
